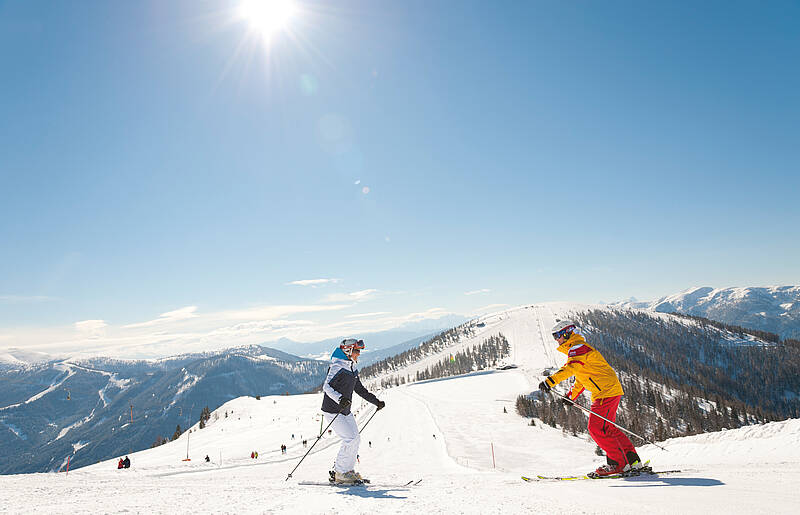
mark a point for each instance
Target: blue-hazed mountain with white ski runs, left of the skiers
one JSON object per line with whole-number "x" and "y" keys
{"x": 96, "y": 408}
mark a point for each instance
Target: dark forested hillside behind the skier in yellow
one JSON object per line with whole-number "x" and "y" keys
{"x": 682, "y": 379}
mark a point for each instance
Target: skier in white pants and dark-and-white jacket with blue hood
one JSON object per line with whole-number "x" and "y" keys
{"x": 342, "y": 380}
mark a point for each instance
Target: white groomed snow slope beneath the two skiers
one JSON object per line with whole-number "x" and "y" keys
{"x": 452, "y": 433}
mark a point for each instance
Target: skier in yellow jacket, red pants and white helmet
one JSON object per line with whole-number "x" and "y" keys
{"x": 592, "y": 372}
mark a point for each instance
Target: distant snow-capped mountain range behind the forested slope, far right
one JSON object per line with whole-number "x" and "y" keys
{"x": 775, "y": 309}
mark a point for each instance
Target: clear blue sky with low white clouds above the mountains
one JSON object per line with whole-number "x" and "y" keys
{"x": 168, "y": 174}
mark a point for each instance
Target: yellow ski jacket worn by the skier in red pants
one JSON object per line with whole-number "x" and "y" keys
{"x": 590, "y": 369}
